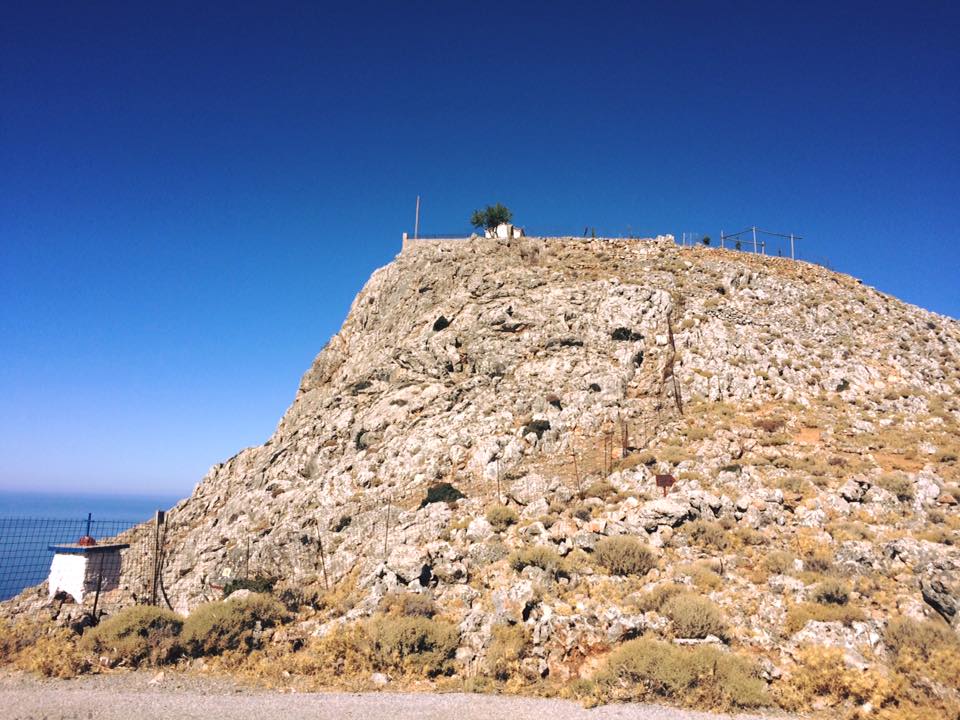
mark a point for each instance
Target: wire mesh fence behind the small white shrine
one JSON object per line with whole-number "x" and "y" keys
{"x": 25, "y": 553}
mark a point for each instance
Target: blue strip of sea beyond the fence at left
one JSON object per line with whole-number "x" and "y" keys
{"x": 31, "y": 521}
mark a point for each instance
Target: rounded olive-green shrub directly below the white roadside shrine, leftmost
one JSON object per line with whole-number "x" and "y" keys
{"x": 136, "y": 635}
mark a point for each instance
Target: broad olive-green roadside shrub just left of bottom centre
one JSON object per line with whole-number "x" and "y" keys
{"x": 414, "y": 644}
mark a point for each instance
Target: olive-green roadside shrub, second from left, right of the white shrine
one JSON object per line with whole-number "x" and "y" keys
{"x": 216, "y": 627}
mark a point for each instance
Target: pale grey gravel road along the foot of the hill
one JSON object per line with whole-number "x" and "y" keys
{"x": 141, "y": 696}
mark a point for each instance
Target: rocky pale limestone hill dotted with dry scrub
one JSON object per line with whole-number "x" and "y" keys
{"x": 496, "y": 416}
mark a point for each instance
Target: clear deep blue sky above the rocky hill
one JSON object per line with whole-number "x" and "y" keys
{"x": 192, "y": 193}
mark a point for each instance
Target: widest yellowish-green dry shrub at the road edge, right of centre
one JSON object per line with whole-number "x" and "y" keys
{"x": 703, "y": 676}
